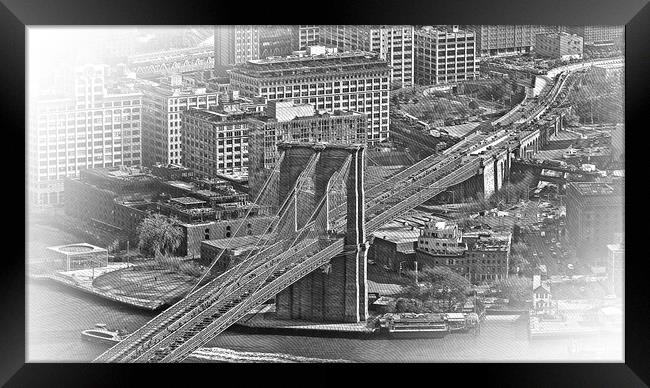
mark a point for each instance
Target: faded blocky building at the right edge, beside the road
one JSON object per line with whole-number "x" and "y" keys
{"x": 594, "y": 217}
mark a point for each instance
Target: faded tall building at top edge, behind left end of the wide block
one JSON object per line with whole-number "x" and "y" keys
{"x": 234, "y": 45}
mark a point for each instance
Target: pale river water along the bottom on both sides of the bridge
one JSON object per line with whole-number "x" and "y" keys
{"x": 56, "y": 316}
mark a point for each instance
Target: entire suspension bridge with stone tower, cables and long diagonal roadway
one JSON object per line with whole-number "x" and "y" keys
{"x": 313, "y": 258}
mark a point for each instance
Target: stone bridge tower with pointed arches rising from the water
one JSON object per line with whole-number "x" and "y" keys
{"x": 338, "y": 291}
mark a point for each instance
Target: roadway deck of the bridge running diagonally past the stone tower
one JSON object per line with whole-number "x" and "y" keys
{"x": 209, "y": 310}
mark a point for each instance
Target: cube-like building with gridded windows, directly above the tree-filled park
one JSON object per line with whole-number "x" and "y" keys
{"x": 444, "y": 55}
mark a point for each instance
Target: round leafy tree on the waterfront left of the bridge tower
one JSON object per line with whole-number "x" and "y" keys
{"x": 158, "y": 236}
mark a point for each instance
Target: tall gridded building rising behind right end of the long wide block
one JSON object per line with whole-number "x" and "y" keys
{"x": 394, "y": 44}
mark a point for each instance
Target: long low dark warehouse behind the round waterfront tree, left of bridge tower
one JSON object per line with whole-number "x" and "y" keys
{"x": 203, "y": 209}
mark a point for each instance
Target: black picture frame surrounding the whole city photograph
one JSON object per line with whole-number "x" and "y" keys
{"x": 16, "y": 15}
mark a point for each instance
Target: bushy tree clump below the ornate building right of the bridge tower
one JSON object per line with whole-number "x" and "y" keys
{"x": 438, "y": 283}
